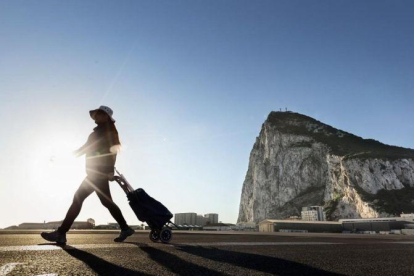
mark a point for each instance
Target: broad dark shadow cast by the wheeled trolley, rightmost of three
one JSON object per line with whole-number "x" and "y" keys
{"x": 261, "y": 263}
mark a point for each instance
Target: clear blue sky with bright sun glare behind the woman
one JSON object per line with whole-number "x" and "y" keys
{"x": 190, "y": 83}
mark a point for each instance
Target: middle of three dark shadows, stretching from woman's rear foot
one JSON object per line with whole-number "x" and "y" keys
{"x": 174, "y": 263}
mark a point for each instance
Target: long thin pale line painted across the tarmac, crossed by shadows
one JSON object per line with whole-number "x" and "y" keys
{"x": 129, "y": 245}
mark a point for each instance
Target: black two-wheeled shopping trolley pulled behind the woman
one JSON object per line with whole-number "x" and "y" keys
{"x": 148, "y": 210}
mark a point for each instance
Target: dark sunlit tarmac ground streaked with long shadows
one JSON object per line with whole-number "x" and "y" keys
{"x": 192, "y": 253}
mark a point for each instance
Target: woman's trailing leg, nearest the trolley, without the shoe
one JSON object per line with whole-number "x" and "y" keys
{"x": 104, "y": 194}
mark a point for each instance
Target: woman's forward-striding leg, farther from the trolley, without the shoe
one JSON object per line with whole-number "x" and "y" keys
{"x": 84, "y": 190}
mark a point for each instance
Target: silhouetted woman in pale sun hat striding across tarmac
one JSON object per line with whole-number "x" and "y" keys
{"x": 100, "y": 151}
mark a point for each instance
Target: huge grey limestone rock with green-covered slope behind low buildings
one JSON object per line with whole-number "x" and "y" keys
{"x": 297, "y": 161}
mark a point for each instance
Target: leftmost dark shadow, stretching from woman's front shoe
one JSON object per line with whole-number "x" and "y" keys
{"x": 98, "y": 265}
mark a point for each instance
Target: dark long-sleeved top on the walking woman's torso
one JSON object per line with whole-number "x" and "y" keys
{"x": 100, "y": 150}
